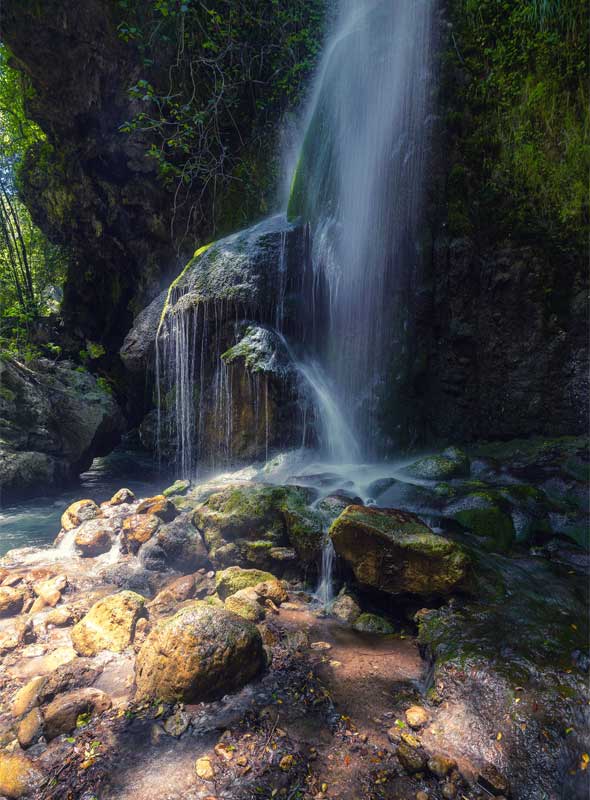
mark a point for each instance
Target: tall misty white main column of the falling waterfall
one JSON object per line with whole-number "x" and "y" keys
{"x": 359, "y": 183}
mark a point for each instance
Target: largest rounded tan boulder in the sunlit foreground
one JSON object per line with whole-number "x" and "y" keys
{"x": 199, "y": 653}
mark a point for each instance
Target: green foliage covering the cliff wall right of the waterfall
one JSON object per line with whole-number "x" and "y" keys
{"x": 519, "y": 122}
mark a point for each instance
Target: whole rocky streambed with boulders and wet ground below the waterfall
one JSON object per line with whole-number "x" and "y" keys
{"x": 173, "y": 646}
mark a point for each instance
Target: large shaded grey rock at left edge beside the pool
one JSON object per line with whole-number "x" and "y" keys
{"x": 54, "y": 420}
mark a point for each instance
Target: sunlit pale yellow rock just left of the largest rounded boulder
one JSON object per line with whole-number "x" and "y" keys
{"x": 109, "y": 625}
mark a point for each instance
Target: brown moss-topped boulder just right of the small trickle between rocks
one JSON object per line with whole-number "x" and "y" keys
{"x": 395, "y": 552}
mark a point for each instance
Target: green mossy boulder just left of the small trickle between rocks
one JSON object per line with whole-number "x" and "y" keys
{"x": 256, "y": 518}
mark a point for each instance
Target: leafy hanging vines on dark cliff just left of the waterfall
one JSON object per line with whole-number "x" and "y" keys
{"x": 218, "y": 75}
